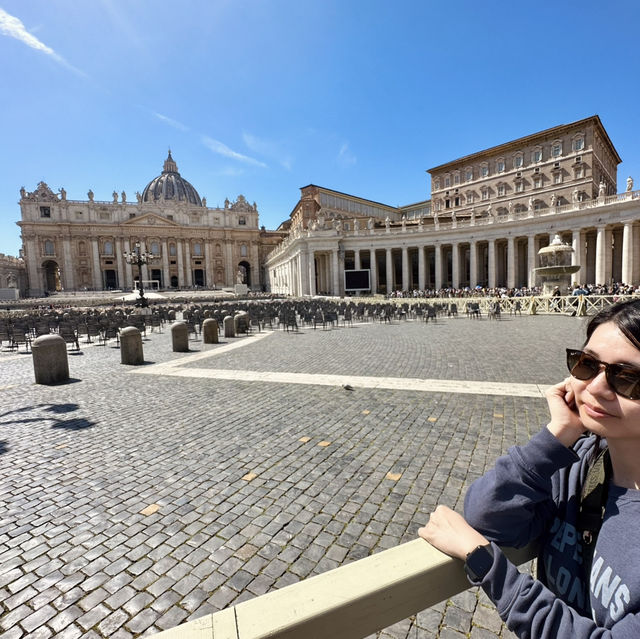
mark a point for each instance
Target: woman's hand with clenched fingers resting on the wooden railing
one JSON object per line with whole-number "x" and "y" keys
{"x": 451, "y": 534}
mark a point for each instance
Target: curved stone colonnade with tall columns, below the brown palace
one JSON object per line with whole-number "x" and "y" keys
{"x": 398, "y": 260}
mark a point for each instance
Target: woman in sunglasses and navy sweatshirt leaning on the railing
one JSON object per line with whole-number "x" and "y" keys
{"x": 588, "y": 579}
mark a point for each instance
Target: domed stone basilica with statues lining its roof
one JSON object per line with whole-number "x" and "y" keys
{"x": 82, "y": 244}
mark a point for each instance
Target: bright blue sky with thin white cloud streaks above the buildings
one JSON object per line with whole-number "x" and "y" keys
{"x": 262, "y": 97}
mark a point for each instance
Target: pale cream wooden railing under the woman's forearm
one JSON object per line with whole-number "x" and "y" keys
{"x": 350, "y": 602}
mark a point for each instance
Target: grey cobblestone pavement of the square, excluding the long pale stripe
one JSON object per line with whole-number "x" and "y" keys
{"x": 133, "y": 502}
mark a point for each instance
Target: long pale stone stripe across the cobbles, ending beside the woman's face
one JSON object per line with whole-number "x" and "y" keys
{"x": 391, "y": 383}
